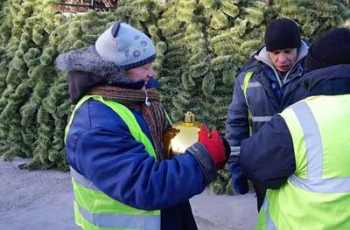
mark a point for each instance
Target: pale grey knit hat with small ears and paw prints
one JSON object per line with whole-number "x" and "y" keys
{"x": 125, "y": 46}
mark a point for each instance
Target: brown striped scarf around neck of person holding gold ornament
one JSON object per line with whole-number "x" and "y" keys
{"x": 135, "y": 99}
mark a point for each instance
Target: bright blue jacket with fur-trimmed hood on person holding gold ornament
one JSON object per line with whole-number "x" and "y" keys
{"x": 100, "y": 147}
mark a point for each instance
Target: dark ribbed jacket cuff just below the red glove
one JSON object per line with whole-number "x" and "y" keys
{"x": 204, "y": 160}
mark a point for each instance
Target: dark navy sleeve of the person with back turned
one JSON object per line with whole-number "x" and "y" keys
{"x": 267, "y": 157}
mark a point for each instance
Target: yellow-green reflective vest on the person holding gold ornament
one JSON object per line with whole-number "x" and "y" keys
{"x": 96, "y": 211}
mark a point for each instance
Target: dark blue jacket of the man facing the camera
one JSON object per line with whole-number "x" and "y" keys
{"x": 265, "y": 94}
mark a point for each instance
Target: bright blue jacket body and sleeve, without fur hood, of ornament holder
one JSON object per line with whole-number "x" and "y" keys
{"x": 100, "y": 147}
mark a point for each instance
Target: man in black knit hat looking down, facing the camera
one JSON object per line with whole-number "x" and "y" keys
{"x": 261, "y": 88}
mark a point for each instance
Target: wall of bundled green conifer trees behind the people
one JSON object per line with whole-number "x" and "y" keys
{"x": 201, "y": 46}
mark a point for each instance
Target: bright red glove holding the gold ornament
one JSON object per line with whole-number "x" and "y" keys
{"x": 214, "y": 144}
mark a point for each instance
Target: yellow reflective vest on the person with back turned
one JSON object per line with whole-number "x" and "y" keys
{"x": 321, "y": 182}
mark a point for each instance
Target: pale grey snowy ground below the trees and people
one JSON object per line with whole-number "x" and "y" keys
{"x": 38, "y": 200}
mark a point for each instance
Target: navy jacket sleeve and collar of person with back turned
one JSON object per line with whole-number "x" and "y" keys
{"x": 267, "y": 157}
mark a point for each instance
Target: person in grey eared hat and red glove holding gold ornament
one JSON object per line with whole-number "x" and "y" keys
{"x": 114, "y": 140}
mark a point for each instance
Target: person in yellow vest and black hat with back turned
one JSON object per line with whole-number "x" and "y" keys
{"x": 302, "y": 154}
